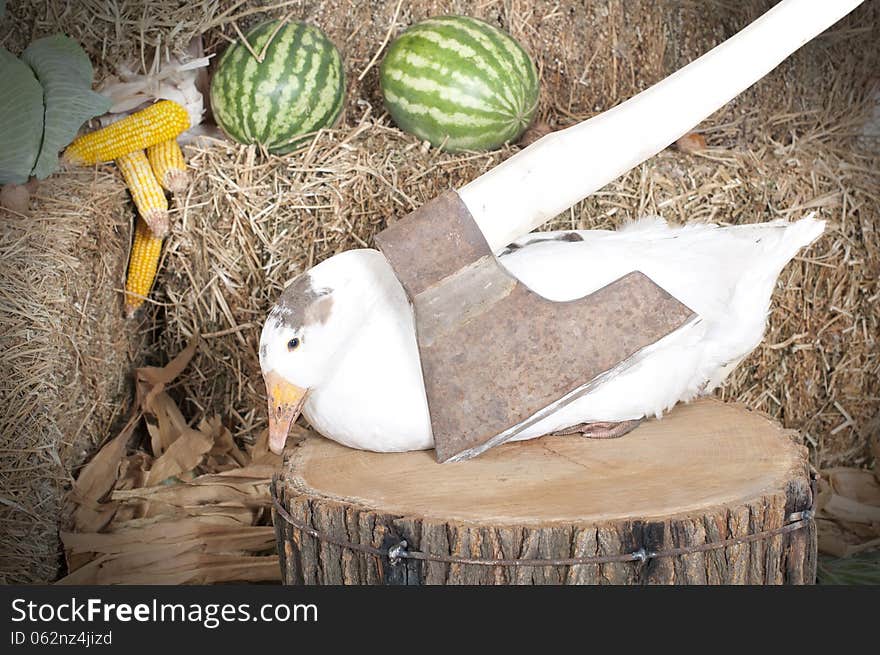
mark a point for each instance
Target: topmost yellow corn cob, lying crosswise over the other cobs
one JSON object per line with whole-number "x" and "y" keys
{"x": 159, "y": 122}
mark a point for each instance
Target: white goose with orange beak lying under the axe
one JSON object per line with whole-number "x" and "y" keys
{"x": 340, "y": 346}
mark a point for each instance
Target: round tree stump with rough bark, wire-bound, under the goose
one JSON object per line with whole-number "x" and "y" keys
{"x": 711, "y": 494}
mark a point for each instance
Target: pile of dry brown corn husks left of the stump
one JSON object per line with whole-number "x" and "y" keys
{"x": 189, "y": 506}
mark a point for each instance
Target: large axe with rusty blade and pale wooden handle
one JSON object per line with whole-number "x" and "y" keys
{"x": 497, "y": 357}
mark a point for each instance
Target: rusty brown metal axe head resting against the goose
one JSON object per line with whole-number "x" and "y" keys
{"x": 495, "y": 356}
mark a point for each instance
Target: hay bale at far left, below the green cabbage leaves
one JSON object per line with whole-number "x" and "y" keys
{"x": 64, "y": 358}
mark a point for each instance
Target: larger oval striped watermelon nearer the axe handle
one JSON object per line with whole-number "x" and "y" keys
{"x": 459, "y": 82}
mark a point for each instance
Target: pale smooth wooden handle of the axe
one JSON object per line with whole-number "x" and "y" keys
{"x": 566, "y": 166}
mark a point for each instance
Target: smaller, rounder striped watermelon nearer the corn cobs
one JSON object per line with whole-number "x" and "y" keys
{"x": 297, "y": 89}
